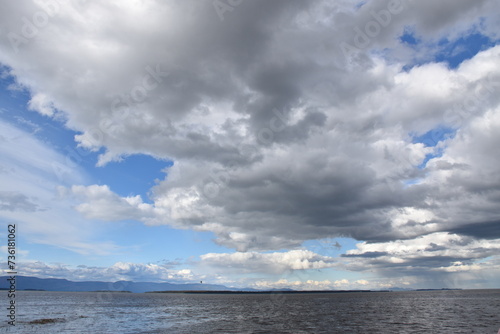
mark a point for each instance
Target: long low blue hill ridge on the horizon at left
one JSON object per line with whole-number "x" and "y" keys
{"x": 56, "y": 284}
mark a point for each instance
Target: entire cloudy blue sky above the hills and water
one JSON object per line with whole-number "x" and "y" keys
{"x": 253, "y": 143}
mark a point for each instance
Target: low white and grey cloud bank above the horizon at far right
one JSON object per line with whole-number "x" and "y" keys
{"x": 437, "y": 260}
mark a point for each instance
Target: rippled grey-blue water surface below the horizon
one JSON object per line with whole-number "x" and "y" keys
{"x": 467, "y": 311}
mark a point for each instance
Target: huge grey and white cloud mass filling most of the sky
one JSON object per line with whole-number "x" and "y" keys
{"x": 277, "y": 135}
